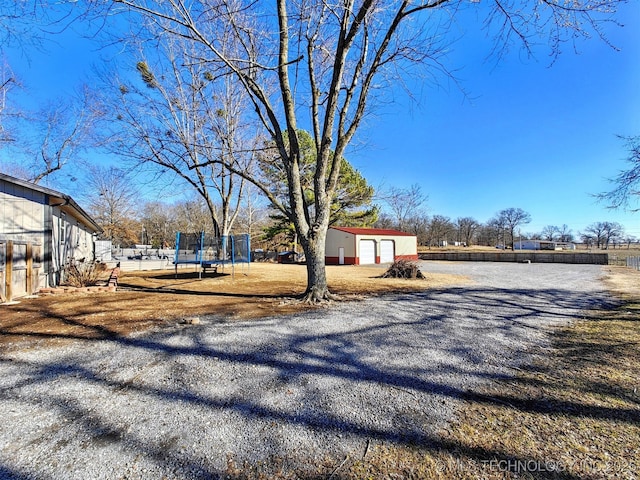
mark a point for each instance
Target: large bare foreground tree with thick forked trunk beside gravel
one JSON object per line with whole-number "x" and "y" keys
{"x": 328, "y": 61}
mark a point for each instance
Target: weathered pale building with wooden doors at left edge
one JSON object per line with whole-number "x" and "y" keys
{"x": 40, "y": 231}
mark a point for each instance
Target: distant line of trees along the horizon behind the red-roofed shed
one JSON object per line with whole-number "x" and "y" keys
{"x": 114, "y": 203}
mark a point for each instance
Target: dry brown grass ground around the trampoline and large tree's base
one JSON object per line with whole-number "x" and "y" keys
{"x": 154, "y": 298}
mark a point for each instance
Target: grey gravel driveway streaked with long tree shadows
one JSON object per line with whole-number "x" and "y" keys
{"x": 184, "y": 401}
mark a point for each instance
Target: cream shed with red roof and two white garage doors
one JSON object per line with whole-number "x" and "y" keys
{"x": 365, "y": 246}
